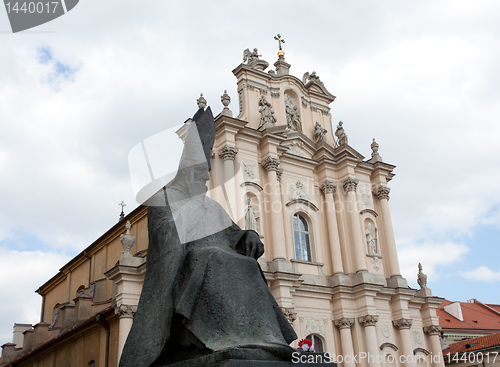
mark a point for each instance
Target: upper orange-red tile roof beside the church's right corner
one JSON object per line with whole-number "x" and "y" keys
{"x": 477, "y": 317}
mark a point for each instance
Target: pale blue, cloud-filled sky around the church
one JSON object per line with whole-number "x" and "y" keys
{"x": 78, "y": 93}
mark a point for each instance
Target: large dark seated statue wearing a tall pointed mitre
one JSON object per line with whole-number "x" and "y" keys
{"x": 204, "y": 294}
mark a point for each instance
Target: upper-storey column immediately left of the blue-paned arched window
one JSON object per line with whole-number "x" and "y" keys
{"x": 277, "y": 230}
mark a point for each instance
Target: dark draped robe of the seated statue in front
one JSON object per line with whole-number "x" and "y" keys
{"x": 204, "y": 291}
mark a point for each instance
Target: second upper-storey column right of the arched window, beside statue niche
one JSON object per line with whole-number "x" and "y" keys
{"x": 349, "y": 186}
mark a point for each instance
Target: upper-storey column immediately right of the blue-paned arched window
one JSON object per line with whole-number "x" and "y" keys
{"x": 329, "y": 188}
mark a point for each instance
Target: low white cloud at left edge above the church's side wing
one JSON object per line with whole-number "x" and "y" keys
{"x": 22, "y": 272}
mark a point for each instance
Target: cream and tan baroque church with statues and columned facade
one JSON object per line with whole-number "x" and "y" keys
{"x": 321, "y": 209}
